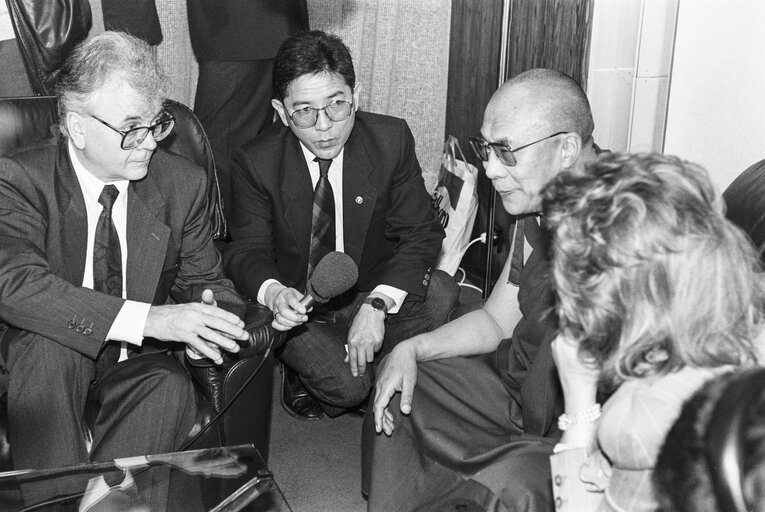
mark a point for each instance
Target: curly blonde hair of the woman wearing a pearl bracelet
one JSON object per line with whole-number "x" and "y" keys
{"x": 650, "y": 275}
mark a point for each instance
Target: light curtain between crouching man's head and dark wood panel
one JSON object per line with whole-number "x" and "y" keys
{"x": 400, "y": 51}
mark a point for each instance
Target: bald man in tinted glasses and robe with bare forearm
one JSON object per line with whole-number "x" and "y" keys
{"x": 476, "y": 433}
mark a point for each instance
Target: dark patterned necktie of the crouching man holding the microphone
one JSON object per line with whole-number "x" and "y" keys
{"x": 323, "y": 221}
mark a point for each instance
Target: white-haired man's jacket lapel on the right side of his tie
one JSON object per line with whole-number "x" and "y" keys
{"x": 147, "y": 238}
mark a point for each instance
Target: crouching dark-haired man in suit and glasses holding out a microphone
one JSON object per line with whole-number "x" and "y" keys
{"x": 369, "y": 202}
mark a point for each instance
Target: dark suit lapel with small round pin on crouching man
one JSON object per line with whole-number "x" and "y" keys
{"x": 359, "y": 195}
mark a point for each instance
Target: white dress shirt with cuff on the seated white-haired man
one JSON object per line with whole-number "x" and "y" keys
{"x": 129, "y": 324}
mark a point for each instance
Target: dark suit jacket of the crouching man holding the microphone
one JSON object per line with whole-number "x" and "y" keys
{"x": 390, "y": 227}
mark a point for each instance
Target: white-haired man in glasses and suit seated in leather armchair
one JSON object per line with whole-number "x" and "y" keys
{"x": 106, "y": 262}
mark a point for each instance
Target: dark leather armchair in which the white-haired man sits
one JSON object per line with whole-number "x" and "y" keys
{"x": 25, "y": 121}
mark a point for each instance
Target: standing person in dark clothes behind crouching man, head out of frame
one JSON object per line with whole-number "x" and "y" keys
{"x": 235, "y": 42}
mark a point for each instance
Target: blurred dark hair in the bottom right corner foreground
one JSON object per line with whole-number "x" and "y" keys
{"x": 683, "y": 478}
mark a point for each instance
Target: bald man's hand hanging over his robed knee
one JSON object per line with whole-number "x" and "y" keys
{"x": 396, "y": 373}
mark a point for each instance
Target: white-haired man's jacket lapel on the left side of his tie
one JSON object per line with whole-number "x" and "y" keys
{"x": 74, "y": 218}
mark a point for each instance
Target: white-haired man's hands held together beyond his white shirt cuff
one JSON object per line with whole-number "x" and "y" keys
{"x": 203, "y": 326}
